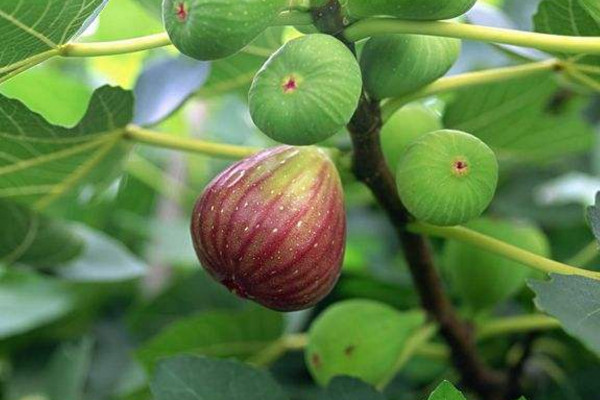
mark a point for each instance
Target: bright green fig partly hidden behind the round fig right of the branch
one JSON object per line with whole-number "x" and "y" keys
{"x": 405, "y": 126}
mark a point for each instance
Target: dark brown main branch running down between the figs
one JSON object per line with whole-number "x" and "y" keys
{"x": 369, "y": 167}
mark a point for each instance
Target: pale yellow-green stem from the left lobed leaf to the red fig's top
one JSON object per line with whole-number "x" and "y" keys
{"x": 164, "y": 140}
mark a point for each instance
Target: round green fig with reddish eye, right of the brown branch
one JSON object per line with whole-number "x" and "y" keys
{"x": 447, "y": 177}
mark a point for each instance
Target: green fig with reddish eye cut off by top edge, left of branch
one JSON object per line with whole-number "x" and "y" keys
{"x": 214, "y": 29}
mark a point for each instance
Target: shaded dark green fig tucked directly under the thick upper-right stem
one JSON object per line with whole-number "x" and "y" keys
{"x": 394, "y": 65}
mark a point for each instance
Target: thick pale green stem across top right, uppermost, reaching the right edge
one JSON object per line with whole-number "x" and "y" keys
{"x": 552, "y": 43}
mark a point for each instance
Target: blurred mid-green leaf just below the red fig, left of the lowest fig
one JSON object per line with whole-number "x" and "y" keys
{"x": 239, "y": 334}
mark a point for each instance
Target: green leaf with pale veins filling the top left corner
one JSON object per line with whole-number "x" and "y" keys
{"x": 31, "y": 29}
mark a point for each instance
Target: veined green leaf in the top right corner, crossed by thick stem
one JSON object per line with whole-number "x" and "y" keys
{"x": 573, "y": 18}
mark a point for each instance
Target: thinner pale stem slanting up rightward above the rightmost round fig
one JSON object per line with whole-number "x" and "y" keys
{"x": 469, "y": 80}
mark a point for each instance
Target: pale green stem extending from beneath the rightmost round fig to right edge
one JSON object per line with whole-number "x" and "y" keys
{"x": 501, "y": 248}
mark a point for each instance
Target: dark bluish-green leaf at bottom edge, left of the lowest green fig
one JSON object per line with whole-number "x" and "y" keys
{"x": 199, "y": 378}
